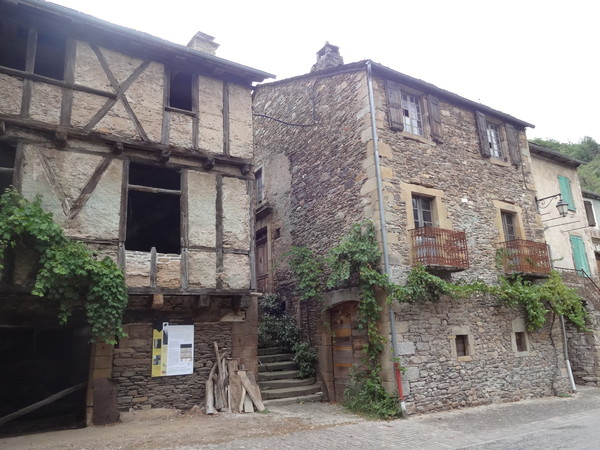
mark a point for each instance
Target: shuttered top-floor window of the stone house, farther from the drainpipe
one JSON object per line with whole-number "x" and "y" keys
{"x": 498, "y": 140}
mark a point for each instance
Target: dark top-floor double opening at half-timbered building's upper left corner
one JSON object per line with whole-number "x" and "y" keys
{"x": 50, "y": 50}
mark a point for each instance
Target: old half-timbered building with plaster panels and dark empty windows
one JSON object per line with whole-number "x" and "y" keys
{"x": 142, "y": 149}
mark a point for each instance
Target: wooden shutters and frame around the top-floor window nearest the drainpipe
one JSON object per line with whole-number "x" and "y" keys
{"x": 429, "y": 109}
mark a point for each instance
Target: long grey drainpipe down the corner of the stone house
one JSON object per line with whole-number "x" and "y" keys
{"x": 383, "y": 229}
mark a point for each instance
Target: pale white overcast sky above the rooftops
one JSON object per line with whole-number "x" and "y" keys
{"x": 536, "y": 60}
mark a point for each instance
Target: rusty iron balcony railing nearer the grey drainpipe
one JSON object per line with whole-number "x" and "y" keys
{"x": 439, "y": 249}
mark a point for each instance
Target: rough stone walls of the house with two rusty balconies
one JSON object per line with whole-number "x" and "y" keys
{"x": 320, "y": 179}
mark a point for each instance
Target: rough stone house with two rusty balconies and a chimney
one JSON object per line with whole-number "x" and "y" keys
{"x": 448, "y": 183}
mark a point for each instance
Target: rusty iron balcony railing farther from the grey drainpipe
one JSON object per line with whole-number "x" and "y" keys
{"x": 525, "y": 257}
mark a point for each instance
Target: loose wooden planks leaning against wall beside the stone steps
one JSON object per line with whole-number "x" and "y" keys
{"x": 230, "y": 388}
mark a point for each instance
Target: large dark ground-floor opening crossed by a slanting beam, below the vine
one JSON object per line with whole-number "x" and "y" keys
{"x": 37, "y": 363}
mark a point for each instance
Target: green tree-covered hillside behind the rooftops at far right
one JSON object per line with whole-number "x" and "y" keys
{"x": 586, "y": 150}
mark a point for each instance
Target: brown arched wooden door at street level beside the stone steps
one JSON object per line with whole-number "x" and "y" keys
{"x": 347, "y": 344}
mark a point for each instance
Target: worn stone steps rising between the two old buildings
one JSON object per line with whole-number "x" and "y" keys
{"x": 278, "y": 378}
